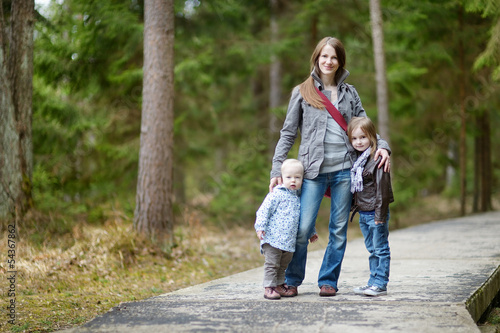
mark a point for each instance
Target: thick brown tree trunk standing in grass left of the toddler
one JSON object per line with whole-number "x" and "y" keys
{"x": 153, "y": 212}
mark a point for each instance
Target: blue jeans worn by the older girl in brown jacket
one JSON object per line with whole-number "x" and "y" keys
{"x": 377, "y": 243}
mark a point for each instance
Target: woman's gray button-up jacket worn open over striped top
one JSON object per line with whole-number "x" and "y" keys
{"x": 312, "y": 125}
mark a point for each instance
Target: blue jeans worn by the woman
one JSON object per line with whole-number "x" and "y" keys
{"x": 313, "y": 191}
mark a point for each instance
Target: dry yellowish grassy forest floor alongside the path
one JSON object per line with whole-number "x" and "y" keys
{"x": 70, "y": 279}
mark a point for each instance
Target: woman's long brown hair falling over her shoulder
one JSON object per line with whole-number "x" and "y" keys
{"x": 307, "y": 87}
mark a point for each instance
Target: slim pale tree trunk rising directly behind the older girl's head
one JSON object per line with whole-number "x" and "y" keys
{"x": 380, "y": 71}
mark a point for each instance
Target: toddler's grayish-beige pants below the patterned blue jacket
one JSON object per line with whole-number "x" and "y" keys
{"x": 275, "y": 265}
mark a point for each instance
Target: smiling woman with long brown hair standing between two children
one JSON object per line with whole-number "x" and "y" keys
{"x": 327, "y": 156}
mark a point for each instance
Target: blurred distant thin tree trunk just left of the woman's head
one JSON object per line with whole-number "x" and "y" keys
{"x": 274, "y": 78}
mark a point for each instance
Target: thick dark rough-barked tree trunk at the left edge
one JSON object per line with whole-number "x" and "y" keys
{"x": 16, "y": 89}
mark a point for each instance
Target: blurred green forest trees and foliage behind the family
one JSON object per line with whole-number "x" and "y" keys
{"x": 88, "y": 83}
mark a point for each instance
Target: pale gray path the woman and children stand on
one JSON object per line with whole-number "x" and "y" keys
{"x": 443, "y": 275}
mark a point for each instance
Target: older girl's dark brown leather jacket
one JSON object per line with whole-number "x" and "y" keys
{"x": 377, "y": 191}
